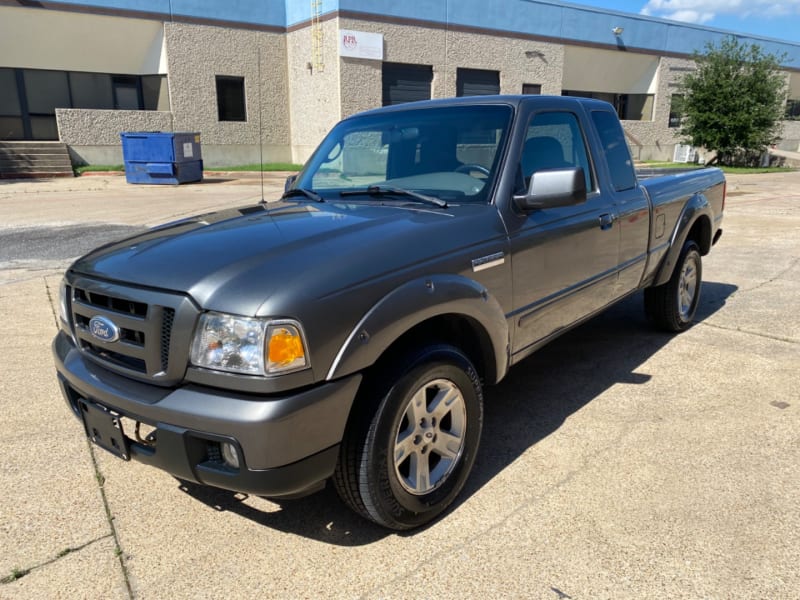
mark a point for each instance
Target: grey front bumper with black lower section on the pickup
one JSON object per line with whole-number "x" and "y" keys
{"x": 287, "y": 444}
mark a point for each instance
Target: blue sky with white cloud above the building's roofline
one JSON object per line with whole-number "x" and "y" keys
{"x": 767, "y": 18}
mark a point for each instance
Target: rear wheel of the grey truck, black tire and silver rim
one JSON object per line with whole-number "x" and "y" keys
{"x": 672, "y": 306}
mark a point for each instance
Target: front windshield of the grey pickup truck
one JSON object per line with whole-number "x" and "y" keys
{"x": 451, "y": 153}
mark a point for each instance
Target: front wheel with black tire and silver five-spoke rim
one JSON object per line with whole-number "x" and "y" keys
{"x": 386, "y": 487}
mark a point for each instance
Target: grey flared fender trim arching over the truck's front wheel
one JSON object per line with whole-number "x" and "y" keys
{"x": 411, "y": 304}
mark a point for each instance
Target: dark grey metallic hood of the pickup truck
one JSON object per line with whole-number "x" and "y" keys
{"x": 256, "y": 260}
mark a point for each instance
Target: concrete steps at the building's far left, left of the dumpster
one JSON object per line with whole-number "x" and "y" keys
{"x": 34, "y": 160}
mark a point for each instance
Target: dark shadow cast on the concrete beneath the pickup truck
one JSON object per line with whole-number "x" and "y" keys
{"x": 532, "y": 402}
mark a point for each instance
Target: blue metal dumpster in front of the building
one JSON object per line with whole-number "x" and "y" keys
{"x": 157, "y": 157}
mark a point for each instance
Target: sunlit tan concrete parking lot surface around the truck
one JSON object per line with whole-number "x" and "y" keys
{"x": 617, "y": 462}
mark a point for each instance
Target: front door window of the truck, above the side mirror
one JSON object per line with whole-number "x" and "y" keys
{"x": 555, "y": 141}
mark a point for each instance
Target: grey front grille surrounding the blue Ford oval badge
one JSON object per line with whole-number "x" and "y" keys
{"x": 143, "y": 323}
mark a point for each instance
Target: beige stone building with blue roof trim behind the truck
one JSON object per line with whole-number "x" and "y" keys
{"x": 272, "y": 78}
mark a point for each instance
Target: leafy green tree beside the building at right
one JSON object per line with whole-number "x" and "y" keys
{"x": 734, "y": 102}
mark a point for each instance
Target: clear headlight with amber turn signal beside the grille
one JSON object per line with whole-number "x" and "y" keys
{"x": 251, "y": 346}
